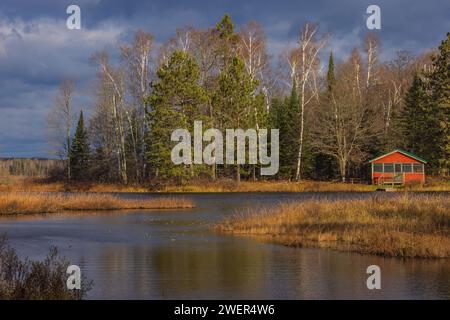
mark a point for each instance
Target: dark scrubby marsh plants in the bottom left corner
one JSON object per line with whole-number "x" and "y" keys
{"x": 36, "y": 280}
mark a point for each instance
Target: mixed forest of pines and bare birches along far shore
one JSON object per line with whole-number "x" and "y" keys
{"x": 333, "y": 115}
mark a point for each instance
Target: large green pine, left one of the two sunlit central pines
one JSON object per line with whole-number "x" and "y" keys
{"x": 176, "y": 102}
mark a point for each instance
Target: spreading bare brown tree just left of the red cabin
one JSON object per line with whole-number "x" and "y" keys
{"x": 345, "y": 122}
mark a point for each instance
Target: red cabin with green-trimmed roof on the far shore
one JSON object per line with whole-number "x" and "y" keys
{"x": 398, "y": 167}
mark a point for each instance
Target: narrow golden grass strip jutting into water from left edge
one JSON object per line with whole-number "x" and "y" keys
{"x": 31, "y": 203}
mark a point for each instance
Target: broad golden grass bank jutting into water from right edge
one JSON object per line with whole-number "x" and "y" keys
{"x": 404, "y": 226}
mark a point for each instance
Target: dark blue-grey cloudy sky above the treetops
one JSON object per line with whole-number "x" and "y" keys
{"x": 37, "y": 51}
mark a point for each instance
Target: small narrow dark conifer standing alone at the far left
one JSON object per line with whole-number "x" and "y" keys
{"x": 79, "y": 152}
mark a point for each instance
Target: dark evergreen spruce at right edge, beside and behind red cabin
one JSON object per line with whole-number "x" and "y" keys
{"x": 425, "y": 119}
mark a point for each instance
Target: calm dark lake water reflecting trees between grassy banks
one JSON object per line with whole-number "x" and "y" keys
{"x": 175, "y": 255}
